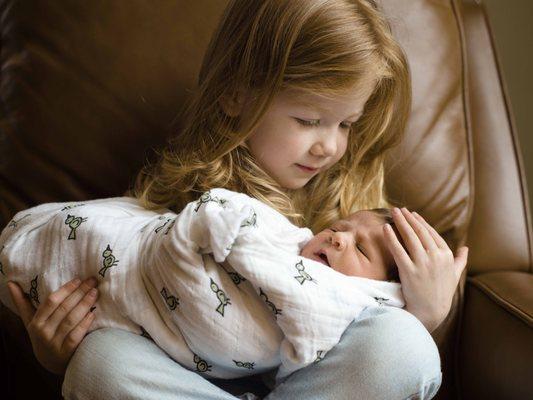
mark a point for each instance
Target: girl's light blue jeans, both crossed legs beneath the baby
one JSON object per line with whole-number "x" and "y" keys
{"x": 386, "y": 353}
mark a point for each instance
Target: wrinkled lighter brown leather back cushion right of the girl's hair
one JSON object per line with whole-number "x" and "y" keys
{"x": 430, "y": 171}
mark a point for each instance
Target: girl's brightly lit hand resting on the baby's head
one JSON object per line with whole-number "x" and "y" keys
{"x": 429, "y": 273}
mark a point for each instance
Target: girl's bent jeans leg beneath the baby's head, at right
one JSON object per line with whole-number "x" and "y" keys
{"x": 384, "y": 354}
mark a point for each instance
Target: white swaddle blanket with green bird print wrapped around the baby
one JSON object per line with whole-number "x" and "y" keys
{"x": 220, "y": 287}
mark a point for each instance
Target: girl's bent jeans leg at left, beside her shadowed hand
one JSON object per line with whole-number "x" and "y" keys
{"x": 115, "y": 364}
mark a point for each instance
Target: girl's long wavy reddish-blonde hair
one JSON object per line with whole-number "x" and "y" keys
{"x": 261, "y": 48}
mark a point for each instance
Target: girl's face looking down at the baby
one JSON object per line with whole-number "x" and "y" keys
{"x": 303, "y": 134}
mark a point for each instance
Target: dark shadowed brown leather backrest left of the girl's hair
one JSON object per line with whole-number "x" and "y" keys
{"x": 87, "y": 88}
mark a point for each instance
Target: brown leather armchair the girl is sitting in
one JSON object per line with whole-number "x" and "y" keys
{"x": 89, "y": 89}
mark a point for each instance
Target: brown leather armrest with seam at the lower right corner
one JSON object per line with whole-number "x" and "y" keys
{"x": 496, "y": 346}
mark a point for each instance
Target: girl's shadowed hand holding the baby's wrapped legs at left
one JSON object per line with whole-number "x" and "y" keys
{"x": 60, "y": 322}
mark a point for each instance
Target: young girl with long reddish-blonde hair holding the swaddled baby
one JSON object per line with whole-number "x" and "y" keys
{"x": 297, "y": 105}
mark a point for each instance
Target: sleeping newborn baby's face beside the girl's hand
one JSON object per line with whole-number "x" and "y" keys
{"x": 353, "y": 246}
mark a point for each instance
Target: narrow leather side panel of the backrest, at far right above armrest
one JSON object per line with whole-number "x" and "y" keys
{"x": 500, "y": 234}
